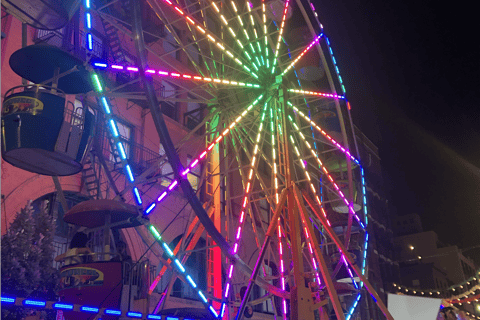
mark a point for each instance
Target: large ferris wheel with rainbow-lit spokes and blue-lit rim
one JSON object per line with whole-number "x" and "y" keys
{"x": 279, "y": 187}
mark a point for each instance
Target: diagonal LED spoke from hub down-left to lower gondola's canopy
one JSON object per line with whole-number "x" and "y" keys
{"x": 202, "y": 155}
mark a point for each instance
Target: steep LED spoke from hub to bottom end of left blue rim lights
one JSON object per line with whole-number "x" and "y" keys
{"x": 244, "y": 206}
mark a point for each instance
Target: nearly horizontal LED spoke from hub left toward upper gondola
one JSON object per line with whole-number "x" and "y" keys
{"x": 176, "y": 75}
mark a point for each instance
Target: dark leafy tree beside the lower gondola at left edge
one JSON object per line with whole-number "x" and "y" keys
{"x": 27, "y": 256}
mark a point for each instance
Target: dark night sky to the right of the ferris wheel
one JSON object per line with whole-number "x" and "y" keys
{"x": 411, "y": 71}
